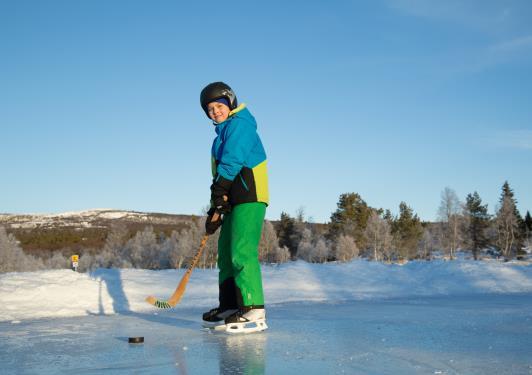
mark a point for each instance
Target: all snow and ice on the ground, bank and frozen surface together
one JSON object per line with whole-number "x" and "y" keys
{"x": 440, "y": 317}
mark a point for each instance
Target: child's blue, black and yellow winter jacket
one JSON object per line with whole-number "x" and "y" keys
{"x": 238, "y": 156}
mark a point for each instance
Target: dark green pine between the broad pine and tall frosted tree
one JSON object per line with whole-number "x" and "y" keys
{"x": 407, "y": 231}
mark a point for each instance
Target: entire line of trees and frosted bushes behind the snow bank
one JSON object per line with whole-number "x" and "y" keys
{"x": 355, "y": 230}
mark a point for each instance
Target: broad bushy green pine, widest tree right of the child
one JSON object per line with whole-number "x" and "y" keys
{"x": 350, "y": 218}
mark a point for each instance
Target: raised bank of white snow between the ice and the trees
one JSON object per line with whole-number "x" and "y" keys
{"x": 60, "y": 293}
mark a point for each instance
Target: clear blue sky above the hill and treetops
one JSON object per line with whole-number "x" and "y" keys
{"x": 394, "y": 100}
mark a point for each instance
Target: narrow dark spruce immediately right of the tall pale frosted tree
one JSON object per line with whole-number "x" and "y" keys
{"x": 478, "y": 221}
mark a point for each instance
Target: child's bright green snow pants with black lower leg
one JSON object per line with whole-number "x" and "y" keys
{"x": 238, "y": 256}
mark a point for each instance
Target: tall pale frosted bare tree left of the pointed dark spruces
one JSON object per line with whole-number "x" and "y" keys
{"x": 449, "y": 213}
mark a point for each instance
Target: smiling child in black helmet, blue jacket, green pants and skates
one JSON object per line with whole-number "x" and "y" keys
{"x": 239, "y": 192}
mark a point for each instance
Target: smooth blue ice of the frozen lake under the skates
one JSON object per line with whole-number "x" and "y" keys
{"x": 480, "y": 334}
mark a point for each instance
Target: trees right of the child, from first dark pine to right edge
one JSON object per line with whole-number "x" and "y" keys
{"x": 356, "y": 229}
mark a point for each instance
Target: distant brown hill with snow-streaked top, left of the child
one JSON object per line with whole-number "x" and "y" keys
{"x": 85, "y": 230}
